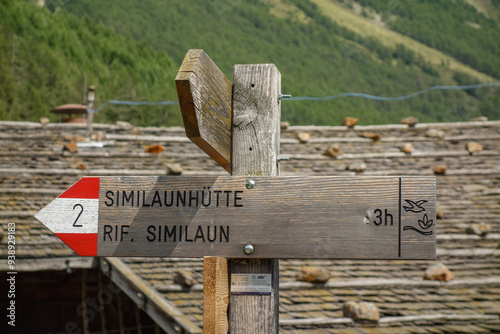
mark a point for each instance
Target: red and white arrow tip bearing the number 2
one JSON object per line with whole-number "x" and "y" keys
{"x": 73, "y": 216}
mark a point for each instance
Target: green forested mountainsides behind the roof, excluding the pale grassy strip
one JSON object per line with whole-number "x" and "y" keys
{"x": 131, "y": 50}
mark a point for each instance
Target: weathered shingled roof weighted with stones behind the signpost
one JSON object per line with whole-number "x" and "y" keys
{"x": 34, "y": 169}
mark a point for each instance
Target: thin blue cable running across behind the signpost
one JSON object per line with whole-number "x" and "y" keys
{"x": 322, "y": 98}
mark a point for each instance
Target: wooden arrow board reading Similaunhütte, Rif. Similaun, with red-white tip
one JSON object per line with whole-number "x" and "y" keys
{"x": 280, "y": 217}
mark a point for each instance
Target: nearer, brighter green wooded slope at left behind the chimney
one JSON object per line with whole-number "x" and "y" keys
{"x": 48, "y": 59}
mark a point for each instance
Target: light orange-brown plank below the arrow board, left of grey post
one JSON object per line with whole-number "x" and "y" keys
{"x": 215, "y": 295}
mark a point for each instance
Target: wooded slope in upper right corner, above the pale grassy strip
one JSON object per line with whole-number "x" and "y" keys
{"x": 454, "y": 27}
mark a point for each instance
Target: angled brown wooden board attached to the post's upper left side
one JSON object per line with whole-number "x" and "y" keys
{"x": 205, "y": 100}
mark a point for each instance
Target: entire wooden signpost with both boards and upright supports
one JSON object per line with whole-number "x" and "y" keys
{"x": 242, "y": 224}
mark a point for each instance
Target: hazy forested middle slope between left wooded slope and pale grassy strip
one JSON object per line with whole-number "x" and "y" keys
{"x": 316, "y": 56}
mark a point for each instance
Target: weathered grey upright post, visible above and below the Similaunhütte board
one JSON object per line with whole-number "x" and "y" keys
{"x": 255, "y": 150}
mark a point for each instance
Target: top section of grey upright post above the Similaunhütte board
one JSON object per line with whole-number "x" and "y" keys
{"x": 256, "y": 119}
